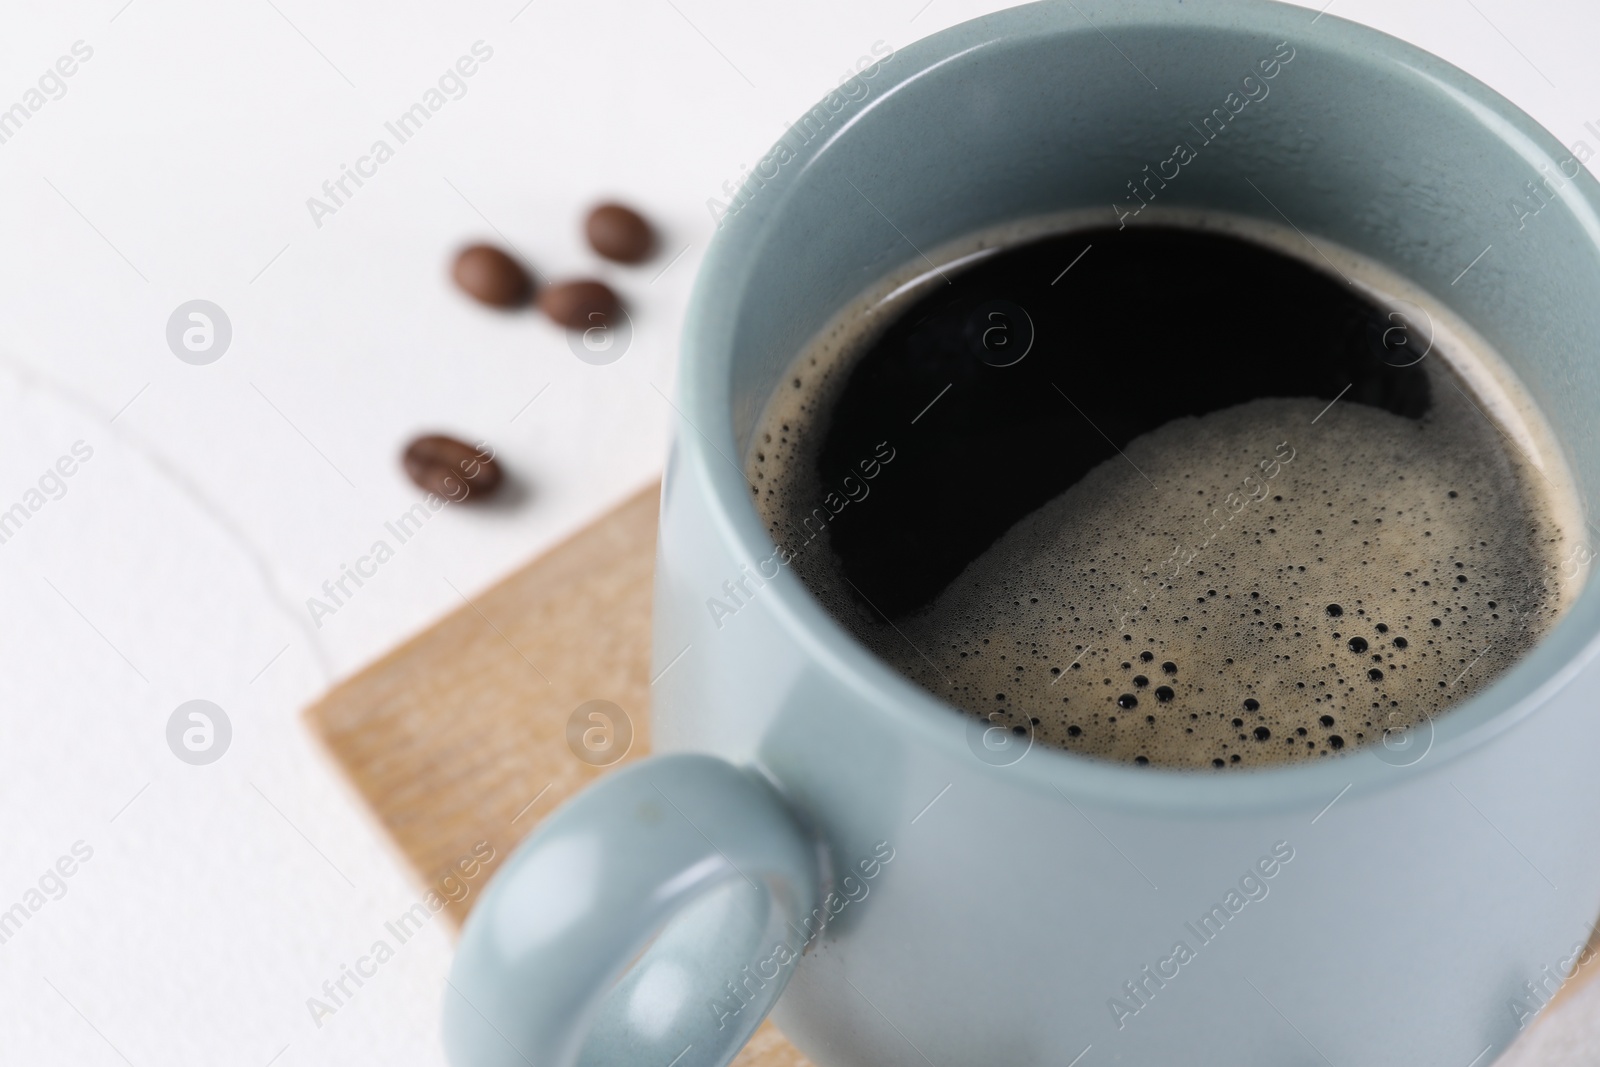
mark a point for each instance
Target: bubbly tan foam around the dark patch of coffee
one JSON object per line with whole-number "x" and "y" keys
{"x": 1241, "y": 655}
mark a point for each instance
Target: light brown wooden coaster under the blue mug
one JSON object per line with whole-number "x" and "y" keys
{"x": 462, "y": 735}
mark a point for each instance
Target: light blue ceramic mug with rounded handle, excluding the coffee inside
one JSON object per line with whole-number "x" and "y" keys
{"x": 823, "y": 829}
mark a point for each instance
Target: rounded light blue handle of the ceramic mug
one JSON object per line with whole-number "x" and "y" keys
{"x": 649, "y": 921}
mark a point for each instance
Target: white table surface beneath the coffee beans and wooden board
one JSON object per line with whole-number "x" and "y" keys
{"x": 177, "y": 166}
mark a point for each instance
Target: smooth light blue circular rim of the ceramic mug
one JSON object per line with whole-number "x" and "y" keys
{"x": 926, "y": 719}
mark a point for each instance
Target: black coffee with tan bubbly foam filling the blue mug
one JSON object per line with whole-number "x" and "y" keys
{"x": 1169, "y": 497}
